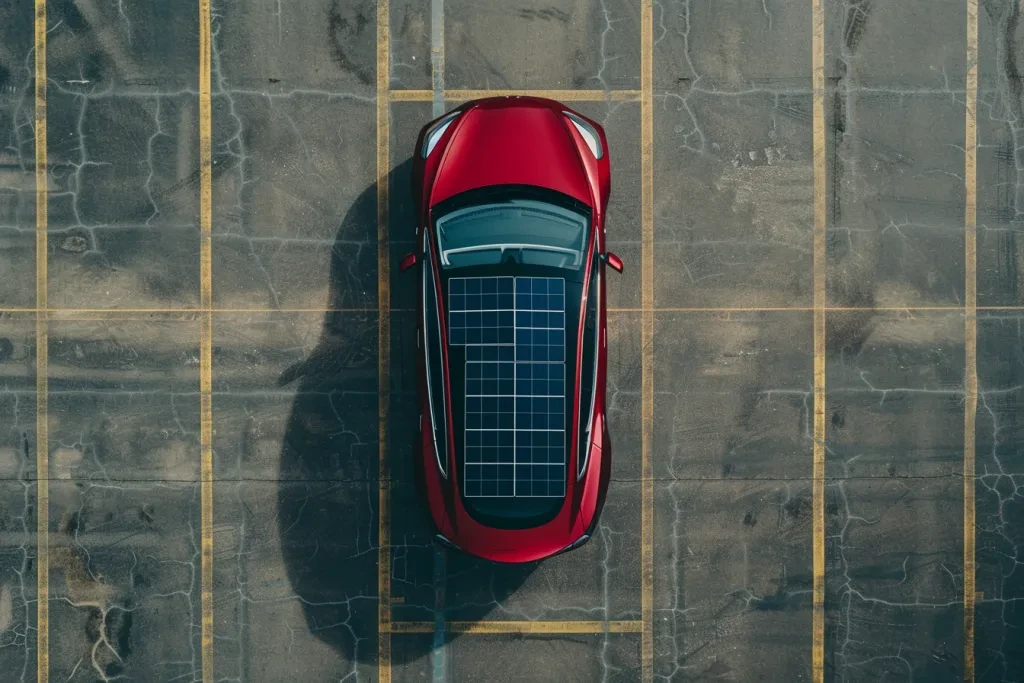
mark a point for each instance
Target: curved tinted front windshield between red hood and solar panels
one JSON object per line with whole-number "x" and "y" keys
{"x": 525, "y": 232}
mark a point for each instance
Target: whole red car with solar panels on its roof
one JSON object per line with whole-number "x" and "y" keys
{"x": 514, "y": 457}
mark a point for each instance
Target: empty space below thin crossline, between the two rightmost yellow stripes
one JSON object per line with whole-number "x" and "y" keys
{"x": 894, "y": 503}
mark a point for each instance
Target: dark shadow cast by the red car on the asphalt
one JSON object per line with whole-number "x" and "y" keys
{"x": 328, "y": 496}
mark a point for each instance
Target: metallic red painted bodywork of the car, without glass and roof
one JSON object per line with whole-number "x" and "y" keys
{"x": 516, "y": 141}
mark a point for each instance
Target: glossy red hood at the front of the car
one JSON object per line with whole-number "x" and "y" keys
{"x": 528, "y": 145}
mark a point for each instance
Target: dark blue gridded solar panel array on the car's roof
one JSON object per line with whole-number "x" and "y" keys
{"x": 515, "y": 333}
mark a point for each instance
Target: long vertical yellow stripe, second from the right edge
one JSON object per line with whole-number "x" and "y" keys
{"x": 819, "y": 488}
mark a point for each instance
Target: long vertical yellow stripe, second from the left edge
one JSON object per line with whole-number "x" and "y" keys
{"x": 206, "y": 335}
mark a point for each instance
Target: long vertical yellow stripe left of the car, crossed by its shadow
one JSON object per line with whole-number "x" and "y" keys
{"x": 383, "y": 345}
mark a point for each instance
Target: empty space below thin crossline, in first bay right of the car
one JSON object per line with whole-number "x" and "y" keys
{"x": 733, "y": 541}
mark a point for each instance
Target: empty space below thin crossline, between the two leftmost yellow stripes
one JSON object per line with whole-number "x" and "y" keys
{"x": 123, "y": 533}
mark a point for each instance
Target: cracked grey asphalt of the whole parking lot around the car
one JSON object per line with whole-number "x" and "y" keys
{"x": 295, "y": 349}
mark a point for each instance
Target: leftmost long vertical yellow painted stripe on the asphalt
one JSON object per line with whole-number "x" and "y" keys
{"x": 42, "y": 363}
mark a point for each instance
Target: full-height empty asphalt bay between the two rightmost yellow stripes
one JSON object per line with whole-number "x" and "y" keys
{"x": 895, "y": 383}
